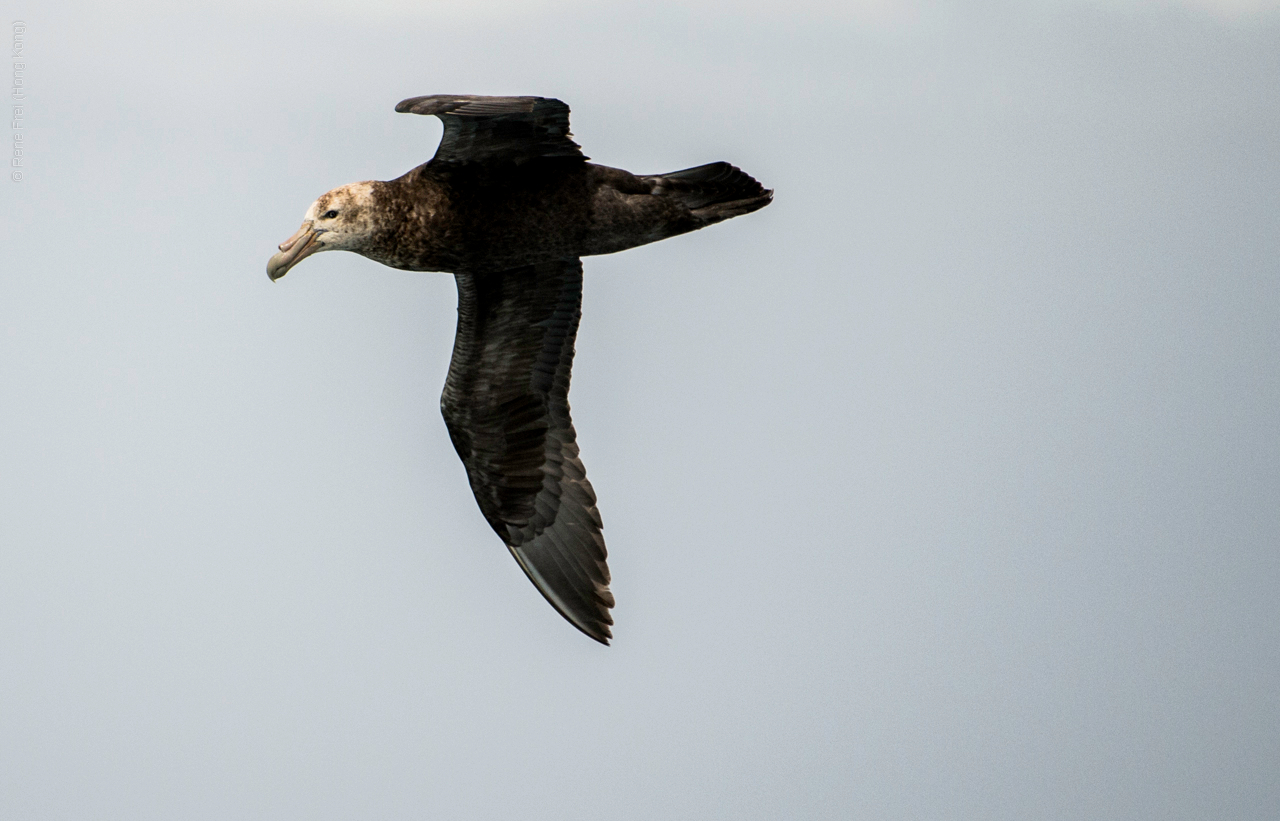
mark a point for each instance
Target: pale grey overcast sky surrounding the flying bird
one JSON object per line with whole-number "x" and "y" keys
{"x": 943, "y": 489}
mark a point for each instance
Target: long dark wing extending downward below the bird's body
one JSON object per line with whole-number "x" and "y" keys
{"x": 506, "y": 404}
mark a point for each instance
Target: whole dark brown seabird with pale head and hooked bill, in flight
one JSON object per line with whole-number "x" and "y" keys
{"x": 510, "y": 206}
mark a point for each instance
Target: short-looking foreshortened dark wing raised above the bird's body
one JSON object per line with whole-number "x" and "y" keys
{"x": 497, "y": 130}
